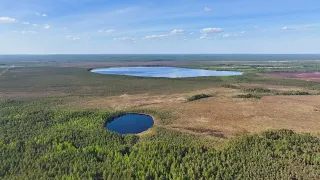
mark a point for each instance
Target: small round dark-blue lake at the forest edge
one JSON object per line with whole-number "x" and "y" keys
{"x": 130, "y": 124}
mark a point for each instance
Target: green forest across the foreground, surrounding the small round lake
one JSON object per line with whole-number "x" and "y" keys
{"x": 39, "y": 142}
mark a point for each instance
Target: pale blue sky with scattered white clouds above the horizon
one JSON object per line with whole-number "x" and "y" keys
{"x": 159, "y": 27}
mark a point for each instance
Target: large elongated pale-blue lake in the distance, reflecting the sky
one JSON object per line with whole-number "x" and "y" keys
{"x": 166, "y": 72}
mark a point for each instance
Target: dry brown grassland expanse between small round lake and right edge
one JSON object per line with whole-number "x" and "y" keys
{"x": 222, "y": 115}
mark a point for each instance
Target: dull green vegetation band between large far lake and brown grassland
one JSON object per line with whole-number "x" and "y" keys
{"x": 79, "y": 82}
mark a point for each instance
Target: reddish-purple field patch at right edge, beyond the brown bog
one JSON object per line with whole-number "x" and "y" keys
{"x": 309, "y": 76}
